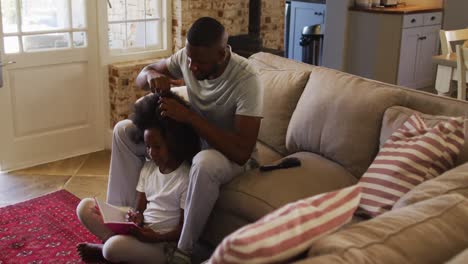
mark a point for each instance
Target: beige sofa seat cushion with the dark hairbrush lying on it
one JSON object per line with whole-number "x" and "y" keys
{"x": 254, "y": 194}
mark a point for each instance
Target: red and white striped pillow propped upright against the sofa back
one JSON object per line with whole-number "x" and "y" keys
{"x": 413, "y": 154}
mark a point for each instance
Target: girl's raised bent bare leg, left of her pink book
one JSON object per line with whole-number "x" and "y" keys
{"x": 89, "y": 216}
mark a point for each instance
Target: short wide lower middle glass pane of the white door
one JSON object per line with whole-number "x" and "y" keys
{"x": 46, "y": 41}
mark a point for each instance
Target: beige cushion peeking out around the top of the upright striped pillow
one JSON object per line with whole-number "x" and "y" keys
{"x": 395, "y": 116}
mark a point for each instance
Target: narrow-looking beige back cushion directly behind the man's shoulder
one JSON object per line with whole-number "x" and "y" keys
{"x": 282, "y": 89}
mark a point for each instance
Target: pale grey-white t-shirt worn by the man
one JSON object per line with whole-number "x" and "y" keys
{"x": 236, "y": 92}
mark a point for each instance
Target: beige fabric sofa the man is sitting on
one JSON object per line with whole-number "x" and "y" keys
{"x": 335, "y": 123}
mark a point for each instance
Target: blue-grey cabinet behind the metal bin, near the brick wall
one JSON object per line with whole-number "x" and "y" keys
{"x": 303, "y": 14}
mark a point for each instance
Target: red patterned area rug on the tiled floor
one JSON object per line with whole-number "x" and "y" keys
{"x": 42, "y": 230}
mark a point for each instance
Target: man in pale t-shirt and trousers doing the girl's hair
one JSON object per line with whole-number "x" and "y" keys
{"x": 226, "y": 110}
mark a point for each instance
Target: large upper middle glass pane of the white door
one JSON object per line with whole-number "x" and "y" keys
{"x": 40, "y": 15}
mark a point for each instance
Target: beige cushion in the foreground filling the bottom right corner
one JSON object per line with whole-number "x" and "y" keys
{"x": 431, "y": 231}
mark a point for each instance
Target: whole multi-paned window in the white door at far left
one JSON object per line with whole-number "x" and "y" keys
{"x": 42, "y": 25}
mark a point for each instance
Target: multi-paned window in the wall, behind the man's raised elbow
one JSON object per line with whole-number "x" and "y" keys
{"x": 136, "y": 26}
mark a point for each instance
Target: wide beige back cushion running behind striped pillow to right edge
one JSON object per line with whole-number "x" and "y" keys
{"x": 340, "y": 115}
